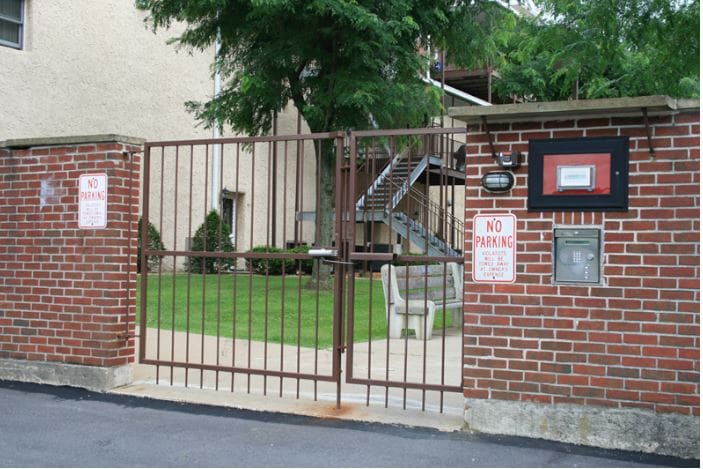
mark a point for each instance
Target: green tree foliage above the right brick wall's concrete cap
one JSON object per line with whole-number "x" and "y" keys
{"x": 603, "y": 48}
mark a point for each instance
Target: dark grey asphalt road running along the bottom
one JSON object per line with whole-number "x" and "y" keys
{"x": 60, "y": 426}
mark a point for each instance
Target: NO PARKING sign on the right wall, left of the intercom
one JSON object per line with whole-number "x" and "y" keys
{"x": 494, "y": 248}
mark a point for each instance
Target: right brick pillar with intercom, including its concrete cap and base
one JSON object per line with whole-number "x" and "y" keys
{"x": 614, "y": 364}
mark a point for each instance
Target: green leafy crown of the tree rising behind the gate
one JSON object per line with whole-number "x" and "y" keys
{"x": 339, "y": 61}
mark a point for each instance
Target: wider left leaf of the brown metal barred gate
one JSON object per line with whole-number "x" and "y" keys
{"x": 168, "y": 355}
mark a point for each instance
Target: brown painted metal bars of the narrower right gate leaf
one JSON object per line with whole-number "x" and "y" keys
{"x": 435, "y": 138}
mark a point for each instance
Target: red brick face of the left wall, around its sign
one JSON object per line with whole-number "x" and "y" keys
{"x": 67, "y": 294}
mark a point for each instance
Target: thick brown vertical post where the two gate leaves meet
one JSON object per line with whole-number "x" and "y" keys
{"x": 339, "y": 271}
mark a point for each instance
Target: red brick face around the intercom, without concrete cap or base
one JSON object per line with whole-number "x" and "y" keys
{"x": 634, "y": 342}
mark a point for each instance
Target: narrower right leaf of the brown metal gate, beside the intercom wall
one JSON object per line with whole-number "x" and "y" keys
{"x": 404, "y": 225}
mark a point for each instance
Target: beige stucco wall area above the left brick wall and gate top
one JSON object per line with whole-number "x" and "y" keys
{"x": 90, "y": 67}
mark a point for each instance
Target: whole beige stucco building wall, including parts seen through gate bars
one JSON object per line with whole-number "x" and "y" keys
{"x": 93, "y": 67}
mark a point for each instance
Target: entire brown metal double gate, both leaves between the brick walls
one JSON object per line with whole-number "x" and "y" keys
{"x": 266, "y": 294}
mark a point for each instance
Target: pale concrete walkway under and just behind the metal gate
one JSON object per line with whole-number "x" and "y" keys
{"x": 298, "y": 396}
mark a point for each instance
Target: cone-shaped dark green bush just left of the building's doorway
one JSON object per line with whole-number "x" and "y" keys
{"x": 211, "y": 236}
